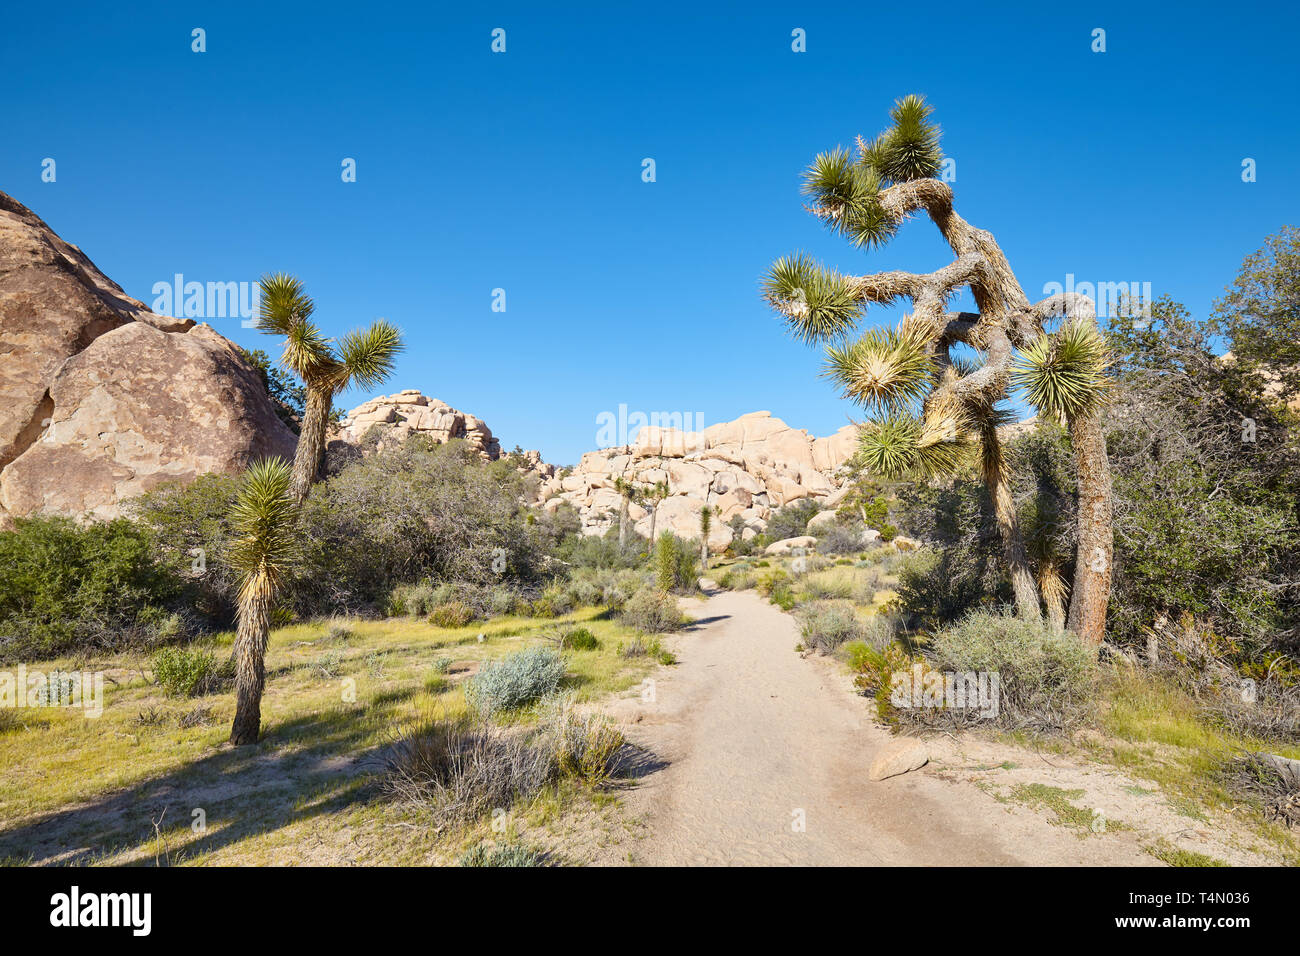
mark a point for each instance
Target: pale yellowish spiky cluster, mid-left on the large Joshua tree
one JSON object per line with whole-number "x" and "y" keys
{"x": 886, "y": 369}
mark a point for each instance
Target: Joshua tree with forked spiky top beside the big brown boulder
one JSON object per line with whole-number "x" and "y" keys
{"x": 362, "y": 358}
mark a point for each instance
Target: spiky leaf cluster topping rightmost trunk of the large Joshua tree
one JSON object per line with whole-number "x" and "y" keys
{"x": 1064, "y": 375}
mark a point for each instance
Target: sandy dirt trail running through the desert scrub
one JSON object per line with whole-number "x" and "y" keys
{"x": 757, "y": 739}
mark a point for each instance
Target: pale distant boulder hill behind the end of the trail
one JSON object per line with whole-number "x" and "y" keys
{"x": 744, "y": 469}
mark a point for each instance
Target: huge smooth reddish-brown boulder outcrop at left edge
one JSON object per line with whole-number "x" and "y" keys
{"x": 102, "y": 400}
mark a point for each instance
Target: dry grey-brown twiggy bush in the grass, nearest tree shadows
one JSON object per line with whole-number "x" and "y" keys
{"x": 463, "y": 769}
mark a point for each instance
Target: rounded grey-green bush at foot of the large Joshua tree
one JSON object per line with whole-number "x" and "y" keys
{"x": 1047, "y": 680}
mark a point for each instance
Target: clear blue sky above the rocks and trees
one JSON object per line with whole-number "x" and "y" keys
{"x": 523, "y": 171}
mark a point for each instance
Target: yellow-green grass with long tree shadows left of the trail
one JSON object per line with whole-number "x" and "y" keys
{"x": 88, "y": 791}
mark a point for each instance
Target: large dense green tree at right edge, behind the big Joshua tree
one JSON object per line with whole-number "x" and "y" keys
{"x": 1207, "y": 468}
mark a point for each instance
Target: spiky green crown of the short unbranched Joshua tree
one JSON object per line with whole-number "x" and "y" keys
{"x": 265, "y": 518}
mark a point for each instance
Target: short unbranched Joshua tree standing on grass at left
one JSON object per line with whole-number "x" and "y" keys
{"x": 263, "y": 556}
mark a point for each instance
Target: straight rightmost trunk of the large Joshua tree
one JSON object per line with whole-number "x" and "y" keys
{"x": 1093, "y": 569}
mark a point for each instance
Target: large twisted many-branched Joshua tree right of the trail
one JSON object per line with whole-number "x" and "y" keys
{"x": 931, "y": 409}
